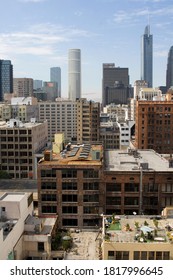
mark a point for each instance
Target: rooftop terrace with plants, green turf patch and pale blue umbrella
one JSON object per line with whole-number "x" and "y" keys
{"x": 138, "y": 229}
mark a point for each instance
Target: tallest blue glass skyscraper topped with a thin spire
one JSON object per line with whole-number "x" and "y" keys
{"x": 147, "y": 57}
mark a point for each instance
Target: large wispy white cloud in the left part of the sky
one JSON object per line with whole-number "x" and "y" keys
{"x": 41, "y": 39}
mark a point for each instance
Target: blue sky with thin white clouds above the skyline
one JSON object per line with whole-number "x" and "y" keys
{"x": 37, "y": 34}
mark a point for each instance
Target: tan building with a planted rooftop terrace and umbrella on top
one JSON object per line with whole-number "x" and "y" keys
{"x": 137, "y": 238}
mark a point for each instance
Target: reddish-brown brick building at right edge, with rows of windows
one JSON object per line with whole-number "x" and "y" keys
{"x": 154, "y": 125}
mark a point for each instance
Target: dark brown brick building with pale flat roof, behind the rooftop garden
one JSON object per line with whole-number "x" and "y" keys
{"x": 138, "y": 181}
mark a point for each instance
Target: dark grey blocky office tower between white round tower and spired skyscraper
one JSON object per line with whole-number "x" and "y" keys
{"x": 115, "y": 85}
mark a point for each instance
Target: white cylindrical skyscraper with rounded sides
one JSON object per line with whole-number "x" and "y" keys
{"x": 74, "y": 74}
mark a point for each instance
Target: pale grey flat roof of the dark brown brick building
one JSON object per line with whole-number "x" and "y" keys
{"x": 119, "y": 160}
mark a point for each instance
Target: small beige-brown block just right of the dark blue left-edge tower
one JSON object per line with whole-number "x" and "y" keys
{"x": 23, "y": 87}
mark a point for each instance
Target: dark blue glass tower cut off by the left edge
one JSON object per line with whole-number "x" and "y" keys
{"x": 6, "y": 78}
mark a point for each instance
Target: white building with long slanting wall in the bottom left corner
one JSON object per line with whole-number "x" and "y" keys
{"x": 14, "y": 209}
